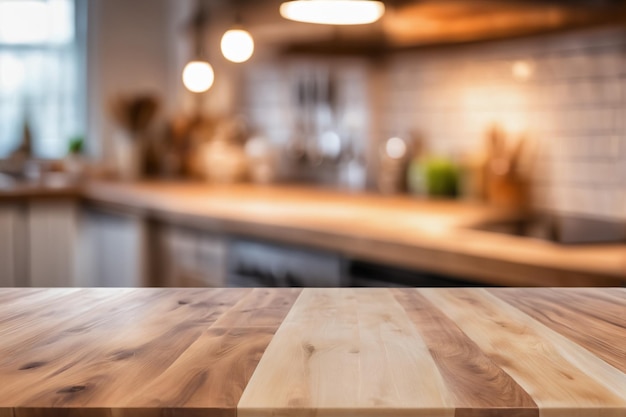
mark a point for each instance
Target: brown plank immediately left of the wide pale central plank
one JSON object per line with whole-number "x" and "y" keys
{"x": 220, "y": 362}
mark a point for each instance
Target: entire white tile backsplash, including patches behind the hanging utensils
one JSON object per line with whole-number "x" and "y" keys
{"x": 572, "y": 103}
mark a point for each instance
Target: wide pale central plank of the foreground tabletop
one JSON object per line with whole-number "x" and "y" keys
{"x": 346, "y": 352}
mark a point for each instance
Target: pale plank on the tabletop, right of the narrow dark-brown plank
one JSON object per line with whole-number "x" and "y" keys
{"x": 563, "y": 379}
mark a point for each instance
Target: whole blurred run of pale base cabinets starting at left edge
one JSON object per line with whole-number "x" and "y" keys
{"x": 56, "y": 242}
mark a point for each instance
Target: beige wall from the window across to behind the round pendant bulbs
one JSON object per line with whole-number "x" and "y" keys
{"x": 142, "y": 46}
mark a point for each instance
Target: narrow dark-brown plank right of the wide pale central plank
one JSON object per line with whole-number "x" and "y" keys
{"x": 478, "y": 385}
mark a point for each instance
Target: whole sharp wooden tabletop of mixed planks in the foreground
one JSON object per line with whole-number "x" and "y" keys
{"x": 323, "y": 352}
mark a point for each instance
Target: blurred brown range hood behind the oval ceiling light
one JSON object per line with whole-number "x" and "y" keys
{"x": 419, "y": 23}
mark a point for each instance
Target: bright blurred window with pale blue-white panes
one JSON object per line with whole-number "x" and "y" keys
{"x": 40, "y": 75}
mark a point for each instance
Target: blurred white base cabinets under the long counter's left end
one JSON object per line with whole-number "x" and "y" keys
{"x": 120, "y": 248}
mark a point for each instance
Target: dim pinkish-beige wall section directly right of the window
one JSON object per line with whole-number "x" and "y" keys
{"x": 127, "y": 52}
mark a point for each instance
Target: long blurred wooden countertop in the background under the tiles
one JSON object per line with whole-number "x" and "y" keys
{"x": 422, "y": 234}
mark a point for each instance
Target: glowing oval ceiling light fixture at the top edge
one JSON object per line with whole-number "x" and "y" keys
{"x": 333, "y": 12}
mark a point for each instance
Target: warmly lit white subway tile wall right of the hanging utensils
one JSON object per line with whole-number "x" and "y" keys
{"x": 573, "y": 102}
